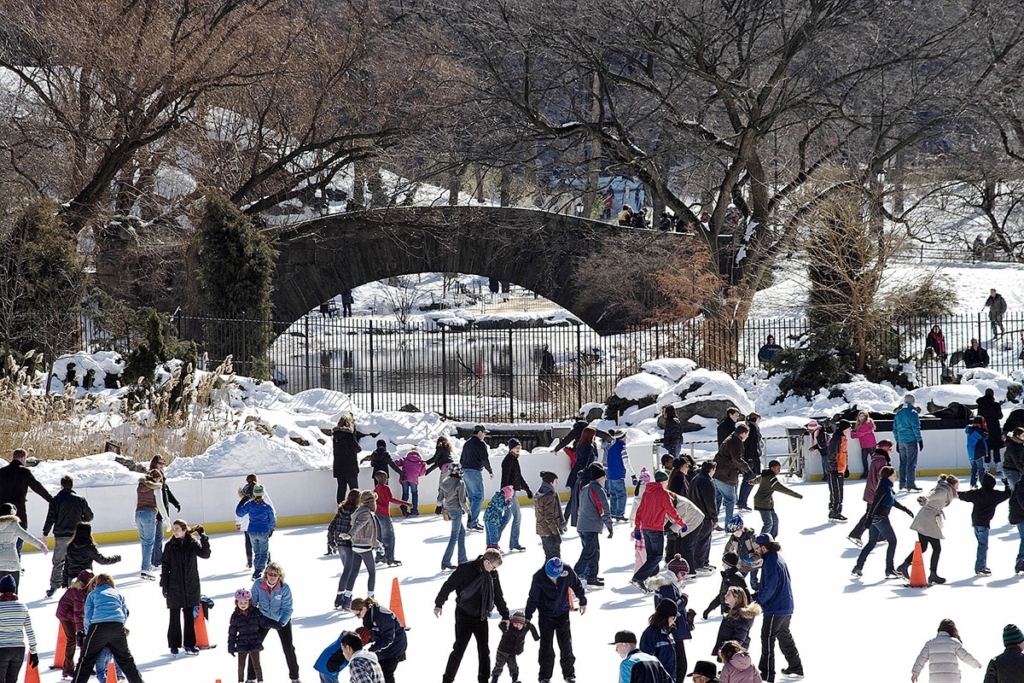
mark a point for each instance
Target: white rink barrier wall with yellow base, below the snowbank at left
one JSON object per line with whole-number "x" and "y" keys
{"x": 301, "y": 499}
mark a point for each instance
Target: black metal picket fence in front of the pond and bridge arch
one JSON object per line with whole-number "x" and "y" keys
{"x": 528, "y": 374}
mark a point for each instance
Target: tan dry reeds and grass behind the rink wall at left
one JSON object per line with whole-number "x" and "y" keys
{"x": 179, "y": 417}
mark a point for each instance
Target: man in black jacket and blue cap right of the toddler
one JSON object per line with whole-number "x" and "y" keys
{"x": 550, "y": 599}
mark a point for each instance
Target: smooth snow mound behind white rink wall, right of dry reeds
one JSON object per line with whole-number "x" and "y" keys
{"x": 241, "y": 454}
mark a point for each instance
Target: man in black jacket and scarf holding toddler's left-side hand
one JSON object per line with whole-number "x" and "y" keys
{"x": 478, "y": 591}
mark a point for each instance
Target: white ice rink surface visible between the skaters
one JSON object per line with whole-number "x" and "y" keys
{"x": 846, "y": 630}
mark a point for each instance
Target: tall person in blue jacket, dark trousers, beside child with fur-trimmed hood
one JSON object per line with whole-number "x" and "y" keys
{"x": 776, "y": 599}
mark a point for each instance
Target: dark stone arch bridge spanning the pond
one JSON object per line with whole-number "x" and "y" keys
{"x": 541, "y": 251}
